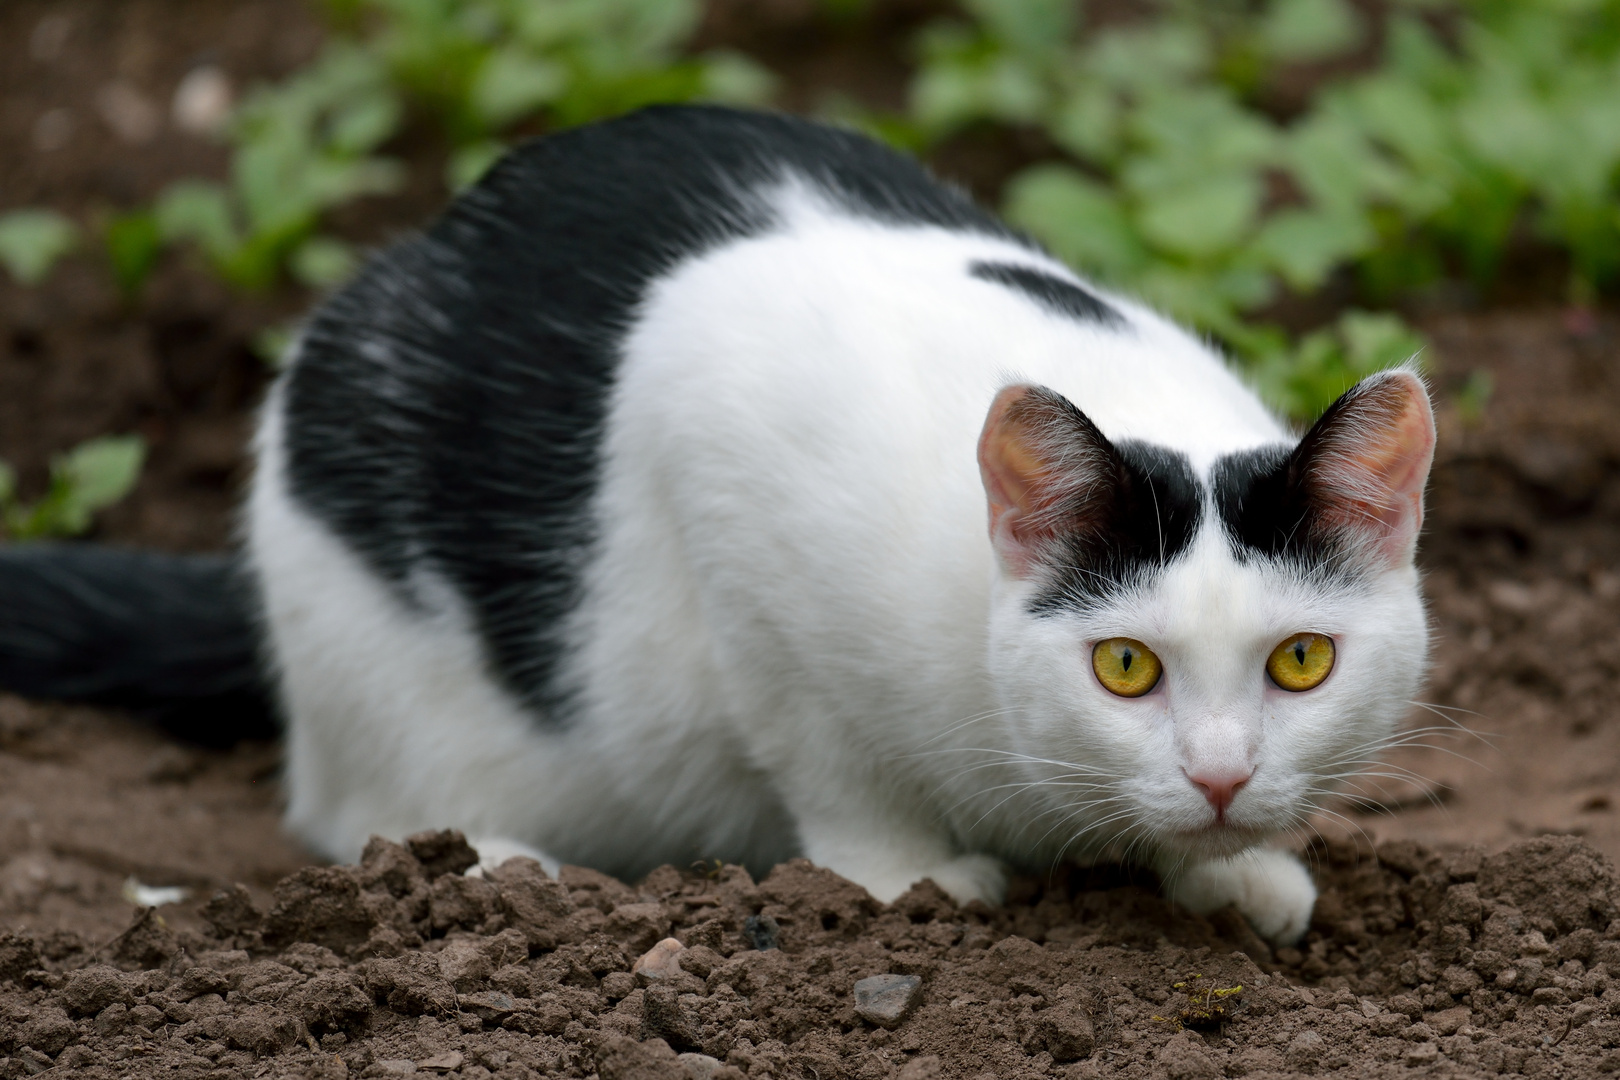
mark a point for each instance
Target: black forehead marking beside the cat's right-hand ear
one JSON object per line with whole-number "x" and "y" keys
{"x": 1264, "y": 508}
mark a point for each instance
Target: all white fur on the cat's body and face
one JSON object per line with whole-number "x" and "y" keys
{"x": 796, "y": 639}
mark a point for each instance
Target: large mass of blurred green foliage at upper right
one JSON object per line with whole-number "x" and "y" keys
{"x": 1172, "y": 179}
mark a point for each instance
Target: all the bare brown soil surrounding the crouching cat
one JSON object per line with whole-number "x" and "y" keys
{"x": 1467, "y": 940}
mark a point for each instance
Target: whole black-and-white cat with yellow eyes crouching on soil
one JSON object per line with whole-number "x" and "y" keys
{"x": 712, "y": 483}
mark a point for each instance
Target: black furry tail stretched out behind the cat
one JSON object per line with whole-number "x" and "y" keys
{"x": 169, "y": 637}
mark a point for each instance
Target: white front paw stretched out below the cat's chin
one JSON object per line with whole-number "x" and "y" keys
{"x": 1271, "y": 888}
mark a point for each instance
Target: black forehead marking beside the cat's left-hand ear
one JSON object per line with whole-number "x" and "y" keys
{"x": 1145, "y": 524}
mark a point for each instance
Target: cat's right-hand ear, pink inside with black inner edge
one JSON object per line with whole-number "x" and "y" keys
{"x": 1365, "y": 464}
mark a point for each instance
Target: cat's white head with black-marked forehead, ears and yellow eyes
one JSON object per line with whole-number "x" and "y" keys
{"x": 1192, "y": 661}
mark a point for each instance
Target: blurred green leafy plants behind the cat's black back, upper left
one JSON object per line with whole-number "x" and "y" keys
{"x": 484, "y": 69}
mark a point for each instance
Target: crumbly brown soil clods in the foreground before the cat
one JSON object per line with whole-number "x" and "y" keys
{"x": 1086, "y": 972}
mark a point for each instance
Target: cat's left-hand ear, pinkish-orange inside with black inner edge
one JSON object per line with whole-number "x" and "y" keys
{"x": 1046, "y": 469}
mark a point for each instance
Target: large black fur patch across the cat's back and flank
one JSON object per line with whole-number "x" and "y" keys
{"x": 446, "y": 409}
